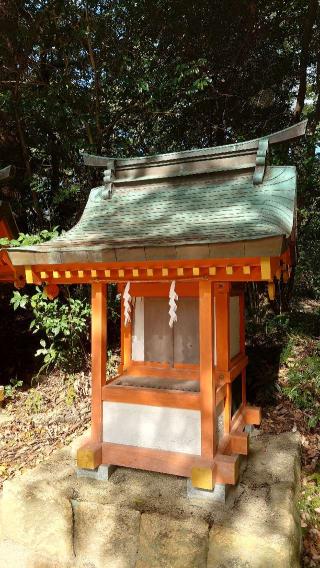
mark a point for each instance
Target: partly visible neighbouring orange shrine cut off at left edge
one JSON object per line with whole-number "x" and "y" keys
{"x": 8, "y": 227}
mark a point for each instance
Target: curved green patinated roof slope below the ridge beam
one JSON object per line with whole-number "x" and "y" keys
{"x": 204, "y": 209}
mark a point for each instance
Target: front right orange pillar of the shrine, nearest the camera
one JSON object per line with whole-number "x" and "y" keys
{"x": 207, "y": 378}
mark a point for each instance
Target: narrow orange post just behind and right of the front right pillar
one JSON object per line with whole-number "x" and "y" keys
{"x": 222, "y": 318}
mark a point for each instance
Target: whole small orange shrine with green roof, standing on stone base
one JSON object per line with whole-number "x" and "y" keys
{"x": 180, "y": 234}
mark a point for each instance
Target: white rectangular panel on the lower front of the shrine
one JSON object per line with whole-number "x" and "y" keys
{"x": 155, "y": 427}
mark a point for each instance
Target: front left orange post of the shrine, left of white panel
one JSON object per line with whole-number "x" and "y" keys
{"x": 98, "y": 355}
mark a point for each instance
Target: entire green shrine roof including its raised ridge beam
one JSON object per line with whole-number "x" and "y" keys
{"x": 203, "y": 203}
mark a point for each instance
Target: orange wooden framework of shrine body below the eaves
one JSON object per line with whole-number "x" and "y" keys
{"x": 215, "y": 385}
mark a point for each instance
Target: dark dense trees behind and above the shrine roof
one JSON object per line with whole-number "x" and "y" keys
{"x": 129, "y": 77}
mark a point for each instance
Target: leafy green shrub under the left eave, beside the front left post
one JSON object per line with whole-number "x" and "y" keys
{"x": 64, "y": 323}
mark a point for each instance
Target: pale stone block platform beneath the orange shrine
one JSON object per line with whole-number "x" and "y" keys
{"x": 52, "y": 518}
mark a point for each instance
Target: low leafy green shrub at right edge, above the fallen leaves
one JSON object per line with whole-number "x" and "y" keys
{"x": 303, "y": 386}
